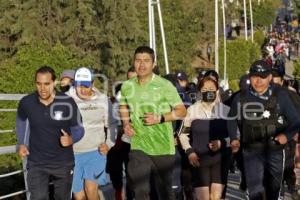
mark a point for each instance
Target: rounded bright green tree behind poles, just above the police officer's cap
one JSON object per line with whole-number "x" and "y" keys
{"x": 240, "y": 55}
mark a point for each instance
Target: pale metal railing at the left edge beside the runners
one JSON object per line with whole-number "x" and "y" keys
{"x": 12, "y": 149}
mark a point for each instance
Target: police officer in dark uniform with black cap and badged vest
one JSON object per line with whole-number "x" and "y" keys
{"x": 266, "y": 119}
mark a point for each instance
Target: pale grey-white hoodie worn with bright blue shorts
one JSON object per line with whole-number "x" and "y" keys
{"x": 96, "y": 116}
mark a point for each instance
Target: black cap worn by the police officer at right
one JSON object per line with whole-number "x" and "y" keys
{"x": 260, "y": 68}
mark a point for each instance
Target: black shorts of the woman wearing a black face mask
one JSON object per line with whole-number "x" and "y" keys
{"x": 210, "y": 172}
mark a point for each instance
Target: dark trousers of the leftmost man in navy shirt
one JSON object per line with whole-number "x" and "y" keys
{"x": 38, "y": 179}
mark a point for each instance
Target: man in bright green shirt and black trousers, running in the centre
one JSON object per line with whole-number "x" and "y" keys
{"x": 148, "y": 105}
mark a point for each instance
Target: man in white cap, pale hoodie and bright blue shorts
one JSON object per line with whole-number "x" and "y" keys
{"x": 90, "y": 152}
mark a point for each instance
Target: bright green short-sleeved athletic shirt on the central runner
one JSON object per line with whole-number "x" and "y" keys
{"x": 157, "y": 96}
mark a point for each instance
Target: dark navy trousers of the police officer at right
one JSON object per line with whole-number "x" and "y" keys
{"x": 264, "y": 172}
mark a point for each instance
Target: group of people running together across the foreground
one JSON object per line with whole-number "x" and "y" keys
{"x": 78, "y": 135}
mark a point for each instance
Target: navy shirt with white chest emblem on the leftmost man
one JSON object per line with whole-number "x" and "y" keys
{"x": 46, "y": 123}
